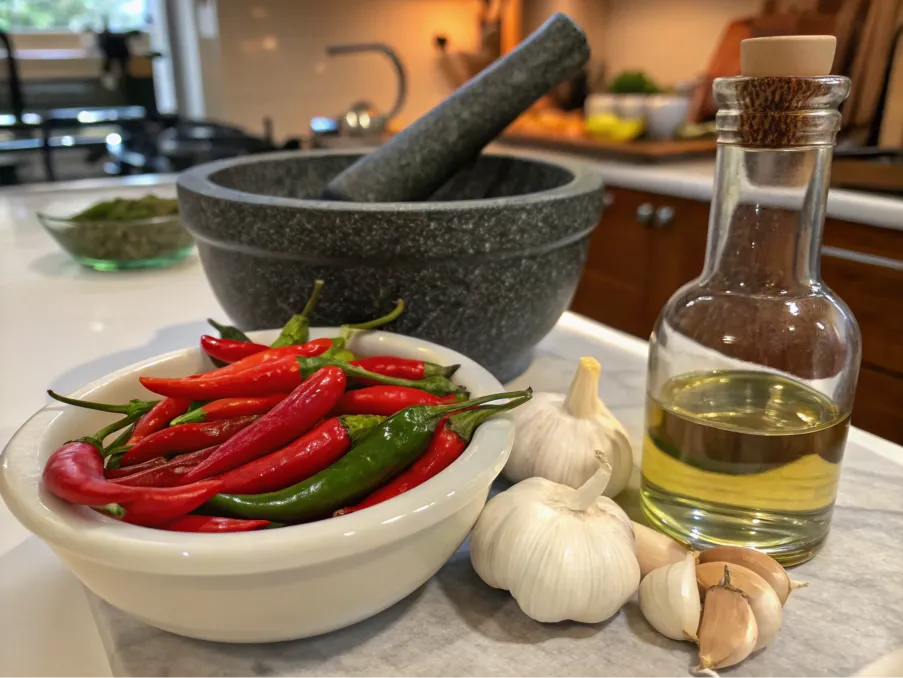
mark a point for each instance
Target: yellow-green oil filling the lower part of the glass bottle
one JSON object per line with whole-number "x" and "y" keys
{"x": 743, "y": 458}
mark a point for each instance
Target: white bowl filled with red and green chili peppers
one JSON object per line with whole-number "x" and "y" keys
{"x": 338, "y": 497}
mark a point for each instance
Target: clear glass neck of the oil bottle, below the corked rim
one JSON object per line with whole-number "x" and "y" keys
{"x": 768, "y": 211}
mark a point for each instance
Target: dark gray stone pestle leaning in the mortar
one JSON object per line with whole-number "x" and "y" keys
{"x": 415, "y": 163}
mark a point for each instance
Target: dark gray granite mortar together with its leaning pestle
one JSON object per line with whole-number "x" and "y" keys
{"x": 485, "y": 249}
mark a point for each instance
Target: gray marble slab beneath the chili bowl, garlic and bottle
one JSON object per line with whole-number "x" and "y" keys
{"x": 456, "y": 626}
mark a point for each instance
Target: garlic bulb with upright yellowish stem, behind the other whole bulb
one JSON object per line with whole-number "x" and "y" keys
{"x": 557, "y": 435}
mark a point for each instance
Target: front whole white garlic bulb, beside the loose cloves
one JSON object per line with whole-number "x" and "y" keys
{"x": 562, "y": 553}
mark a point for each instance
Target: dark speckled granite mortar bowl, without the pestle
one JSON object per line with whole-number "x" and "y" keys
{"x": 486, "y": 267}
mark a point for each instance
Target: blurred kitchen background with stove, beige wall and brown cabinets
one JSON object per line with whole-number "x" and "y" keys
{"x": 201, "y": 79}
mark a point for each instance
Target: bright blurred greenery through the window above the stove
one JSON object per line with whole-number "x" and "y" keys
{"x": 72, "y": 15}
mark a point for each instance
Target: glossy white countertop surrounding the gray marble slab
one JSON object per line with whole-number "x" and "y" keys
{"x": 63, "y": 326}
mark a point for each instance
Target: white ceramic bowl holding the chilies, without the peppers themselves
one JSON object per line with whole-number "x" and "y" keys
{"x": 271, "y": 585}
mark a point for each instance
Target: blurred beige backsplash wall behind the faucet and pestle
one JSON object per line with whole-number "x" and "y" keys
{"x": 273, "y": 62}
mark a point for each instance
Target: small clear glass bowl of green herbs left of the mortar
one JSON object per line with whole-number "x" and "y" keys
{"x": 121, "y": 233}
